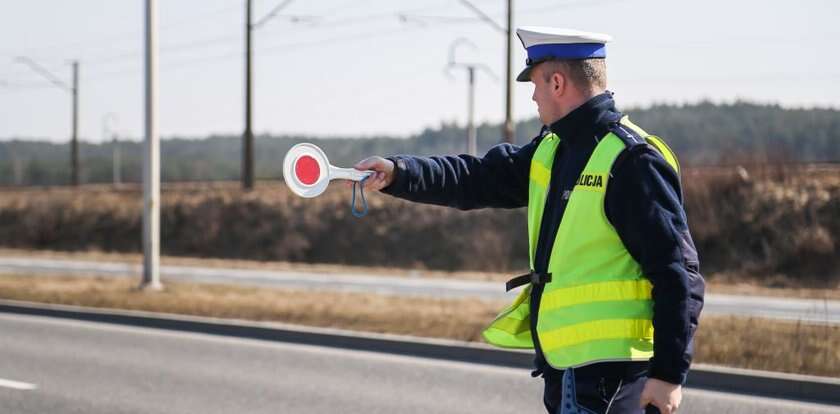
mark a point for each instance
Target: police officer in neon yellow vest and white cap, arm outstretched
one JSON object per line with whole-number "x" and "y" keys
{"x": 614, "y": 294}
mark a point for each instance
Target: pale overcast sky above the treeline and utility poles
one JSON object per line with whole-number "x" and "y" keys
{"x": 352, "y": 67}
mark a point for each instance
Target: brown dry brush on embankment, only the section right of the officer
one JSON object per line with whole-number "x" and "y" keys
{"x": 775, "y": 224}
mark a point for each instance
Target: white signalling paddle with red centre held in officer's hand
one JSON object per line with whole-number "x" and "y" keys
{"x": 307, "y": 171}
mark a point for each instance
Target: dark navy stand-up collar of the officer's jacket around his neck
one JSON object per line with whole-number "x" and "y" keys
{"x": 592, "y": 119}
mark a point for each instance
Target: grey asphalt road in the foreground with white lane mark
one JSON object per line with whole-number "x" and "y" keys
{"x": 61, "y": 366}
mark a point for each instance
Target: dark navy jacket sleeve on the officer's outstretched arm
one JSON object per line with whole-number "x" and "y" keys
{"x": 498, "y": 179}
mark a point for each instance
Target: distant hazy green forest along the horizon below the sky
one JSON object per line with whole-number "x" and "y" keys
{"x": 701, "y": 134}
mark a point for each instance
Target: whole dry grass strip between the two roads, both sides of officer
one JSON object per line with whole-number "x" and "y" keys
{"x": 733, "y": 341}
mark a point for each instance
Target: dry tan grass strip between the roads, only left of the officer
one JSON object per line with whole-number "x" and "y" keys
{"x": 441, "y": 318}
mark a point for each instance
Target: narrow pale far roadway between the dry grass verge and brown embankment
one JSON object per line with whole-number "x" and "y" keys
{"x": 807, "y": 310}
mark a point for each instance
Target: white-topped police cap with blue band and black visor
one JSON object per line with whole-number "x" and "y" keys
{"x": 549, "y": 43}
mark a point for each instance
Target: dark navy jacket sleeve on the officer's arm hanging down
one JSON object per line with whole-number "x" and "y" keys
{"x": 644, "y": 204}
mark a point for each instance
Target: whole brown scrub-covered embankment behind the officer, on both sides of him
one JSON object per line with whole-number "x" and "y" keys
{"x": 775, "y": 226}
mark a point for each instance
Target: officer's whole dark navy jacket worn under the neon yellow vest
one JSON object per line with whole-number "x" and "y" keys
{"x": 643, "y": 203}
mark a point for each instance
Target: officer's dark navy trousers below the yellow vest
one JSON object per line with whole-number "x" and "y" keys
{"x": 588, "y": 391}
